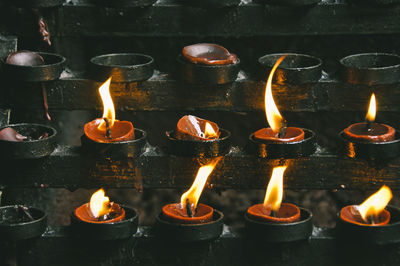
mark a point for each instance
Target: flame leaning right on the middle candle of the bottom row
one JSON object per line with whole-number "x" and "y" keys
{"x": 193, "y": 194}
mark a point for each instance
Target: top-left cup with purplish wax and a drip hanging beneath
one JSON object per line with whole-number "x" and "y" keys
{"x": 27, "y": 66}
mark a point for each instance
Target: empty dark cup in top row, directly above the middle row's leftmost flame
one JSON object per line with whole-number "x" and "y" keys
{"x": 122, "y": 67}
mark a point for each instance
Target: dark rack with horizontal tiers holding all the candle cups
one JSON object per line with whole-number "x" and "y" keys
{"x": 68, "y": 168}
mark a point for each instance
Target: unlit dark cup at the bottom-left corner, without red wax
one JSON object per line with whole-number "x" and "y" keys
{"x": 18, "y": 222}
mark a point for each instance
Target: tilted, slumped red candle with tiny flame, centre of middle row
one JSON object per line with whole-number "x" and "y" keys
{"x": 190, "y": 127}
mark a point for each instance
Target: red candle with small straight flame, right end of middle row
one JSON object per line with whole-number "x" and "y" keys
{"x": 370, "y": 131}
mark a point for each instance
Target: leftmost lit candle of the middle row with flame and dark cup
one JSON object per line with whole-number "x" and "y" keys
{"x": 109, "y": 136}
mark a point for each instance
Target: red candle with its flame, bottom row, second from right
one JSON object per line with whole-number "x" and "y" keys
{"x": 273, "y": 210}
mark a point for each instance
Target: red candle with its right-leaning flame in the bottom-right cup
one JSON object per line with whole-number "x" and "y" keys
{"x": 371, "y": 212}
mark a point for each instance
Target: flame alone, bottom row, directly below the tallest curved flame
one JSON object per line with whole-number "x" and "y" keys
{"x": 274, "y": 195}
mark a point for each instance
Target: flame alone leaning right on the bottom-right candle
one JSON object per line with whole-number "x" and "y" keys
{"x": 375, "y": 203}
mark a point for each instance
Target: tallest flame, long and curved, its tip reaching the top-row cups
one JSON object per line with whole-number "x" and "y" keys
{"x": 274, "y": 118}
